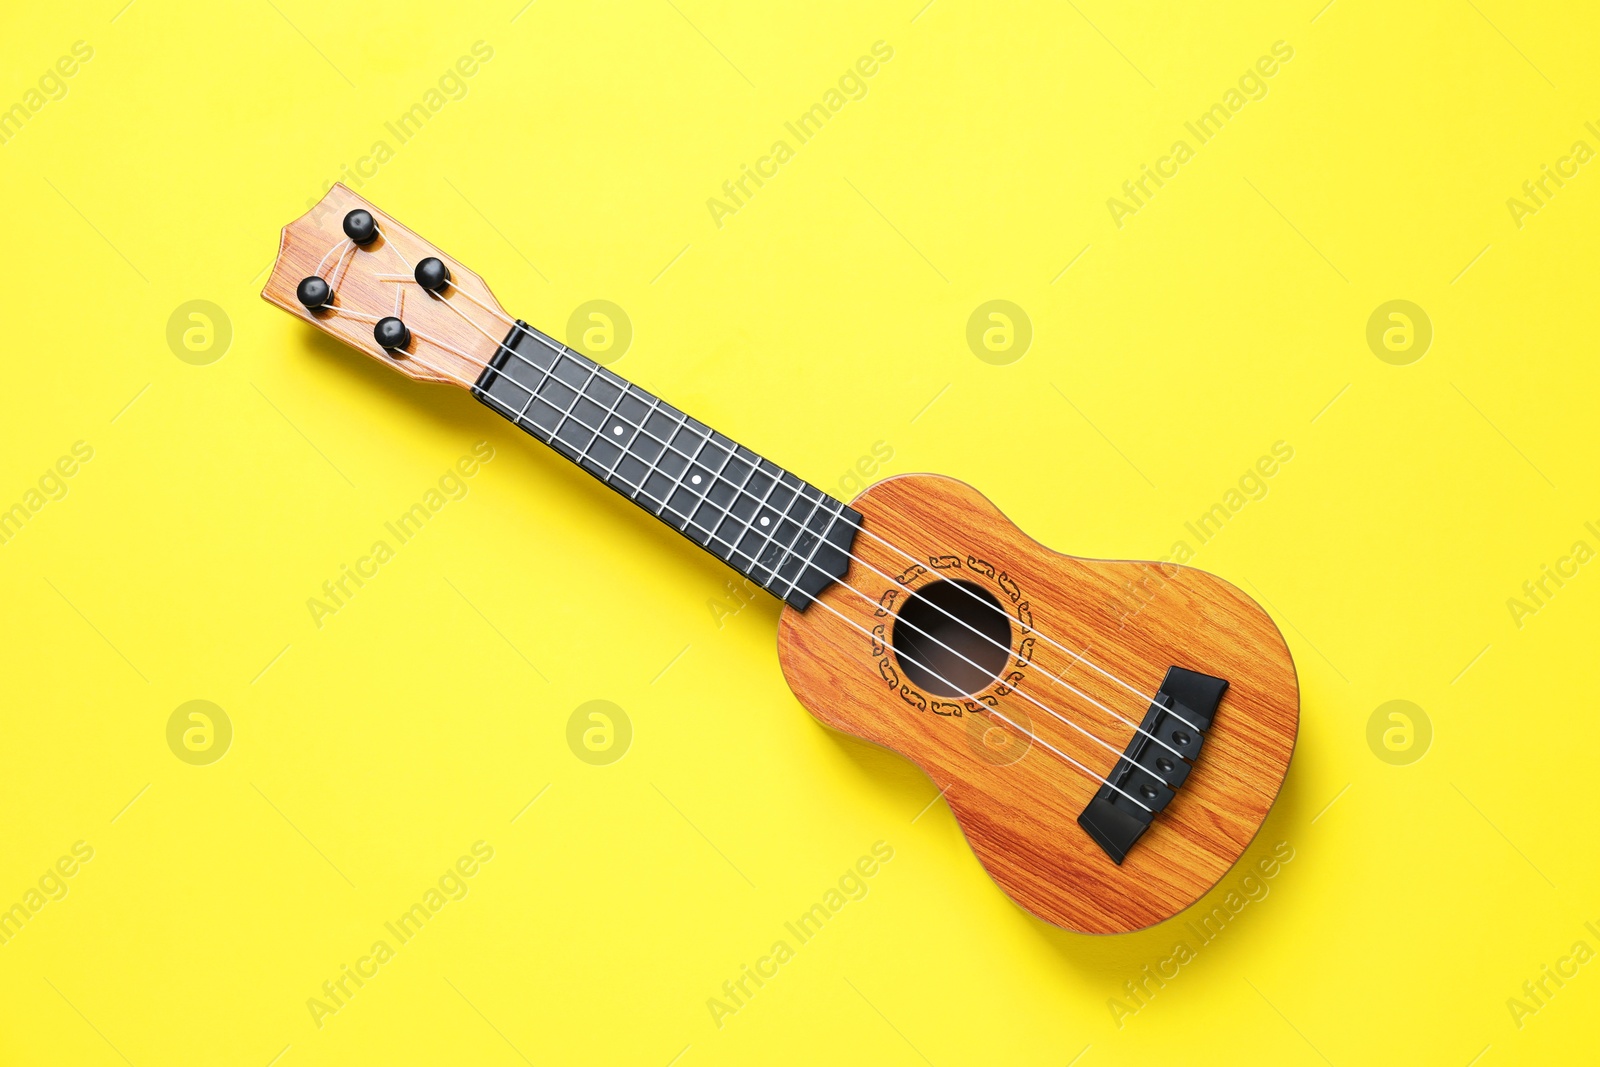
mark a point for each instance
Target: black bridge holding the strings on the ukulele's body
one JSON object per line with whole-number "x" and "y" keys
{"x": 1180, "y": 716}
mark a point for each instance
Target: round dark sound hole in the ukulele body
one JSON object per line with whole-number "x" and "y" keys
{"x": 953, "y": 637}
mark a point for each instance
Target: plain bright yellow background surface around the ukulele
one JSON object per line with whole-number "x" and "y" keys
{"x": 822, "y": 319}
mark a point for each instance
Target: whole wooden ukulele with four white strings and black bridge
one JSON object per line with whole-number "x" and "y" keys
{"x": 1110, "y": 735}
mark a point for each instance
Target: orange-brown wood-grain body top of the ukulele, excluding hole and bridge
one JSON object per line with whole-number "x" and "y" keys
{"x": 1132, "y": 620}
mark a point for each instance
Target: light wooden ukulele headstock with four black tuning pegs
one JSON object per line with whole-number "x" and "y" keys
{"x": 350, "y": 274}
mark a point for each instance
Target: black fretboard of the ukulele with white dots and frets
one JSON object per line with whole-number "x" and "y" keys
{"x": 778, "y": 530}
